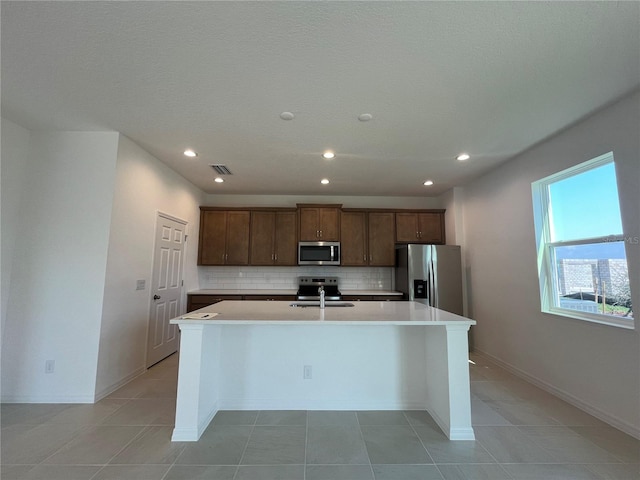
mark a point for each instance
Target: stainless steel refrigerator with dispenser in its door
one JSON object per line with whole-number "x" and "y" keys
{"x": 430, "y": 274}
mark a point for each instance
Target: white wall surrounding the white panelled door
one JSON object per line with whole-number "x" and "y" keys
{"x": 143, "y": 186}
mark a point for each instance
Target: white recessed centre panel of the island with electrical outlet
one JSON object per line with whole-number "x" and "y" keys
{"x": 353, "y": 367}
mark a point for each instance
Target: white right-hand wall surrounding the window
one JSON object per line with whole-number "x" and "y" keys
{"x": 594, "y": 366}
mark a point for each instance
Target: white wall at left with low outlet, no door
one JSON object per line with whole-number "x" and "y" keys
{"x": 54, "y": 303}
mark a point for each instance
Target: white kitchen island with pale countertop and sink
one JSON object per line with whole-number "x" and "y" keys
{"x": 269, "y": 355}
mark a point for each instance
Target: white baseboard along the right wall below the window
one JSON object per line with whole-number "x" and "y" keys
{"x": 566, "y": 396}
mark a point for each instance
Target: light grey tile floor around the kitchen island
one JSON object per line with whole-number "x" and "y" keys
{"x": 523, "y": 433}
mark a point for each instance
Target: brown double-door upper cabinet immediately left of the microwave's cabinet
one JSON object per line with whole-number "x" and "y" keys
{"x": 273, "y": 237}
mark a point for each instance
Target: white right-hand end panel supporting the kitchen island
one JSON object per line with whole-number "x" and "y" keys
{"x": 448, "y": 389}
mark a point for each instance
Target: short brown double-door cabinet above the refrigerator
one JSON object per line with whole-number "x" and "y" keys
{"x": 420, "y": 227}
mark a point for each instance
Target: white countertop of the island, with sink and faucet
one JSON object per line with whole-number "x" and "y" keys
{"x": 362, "y": 313}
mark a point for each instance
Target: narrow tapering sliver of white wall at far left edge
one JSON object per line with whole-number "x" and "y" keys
{"x": 14, "y": 156}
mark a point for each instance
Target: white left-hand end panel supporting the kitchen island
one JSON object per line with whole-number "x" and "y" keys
{"x": 198, "y": 380}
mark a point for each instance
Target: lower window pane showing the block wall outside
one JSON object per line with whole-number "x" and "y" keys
{"x": 593, "y": 278}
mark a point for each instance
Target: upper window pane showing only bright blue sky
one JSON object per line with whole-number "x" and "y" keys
{"x": 585, "y": 205}
